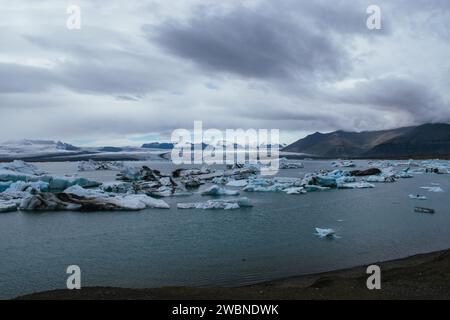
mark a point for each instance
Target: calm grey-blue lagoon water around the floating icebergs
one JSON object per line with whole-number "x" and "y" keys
{"x": 274, "y": 239}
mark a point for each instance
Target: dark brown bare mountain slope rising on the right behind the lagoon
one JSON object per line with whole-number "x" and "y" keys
{"x": 429, "y": 140}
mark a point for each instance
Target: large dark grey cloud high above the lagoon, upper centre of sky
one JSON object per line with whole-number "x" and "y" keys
{"x": 258, "y": 42}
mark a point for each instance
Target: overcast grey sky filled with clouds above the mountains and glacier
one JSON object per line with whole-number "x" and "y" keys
{"x": 136, "y": 70}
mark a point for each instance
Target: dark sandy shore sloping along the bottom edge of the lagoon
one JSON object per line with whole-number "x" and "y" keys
{"x": 424, "y": 276}
